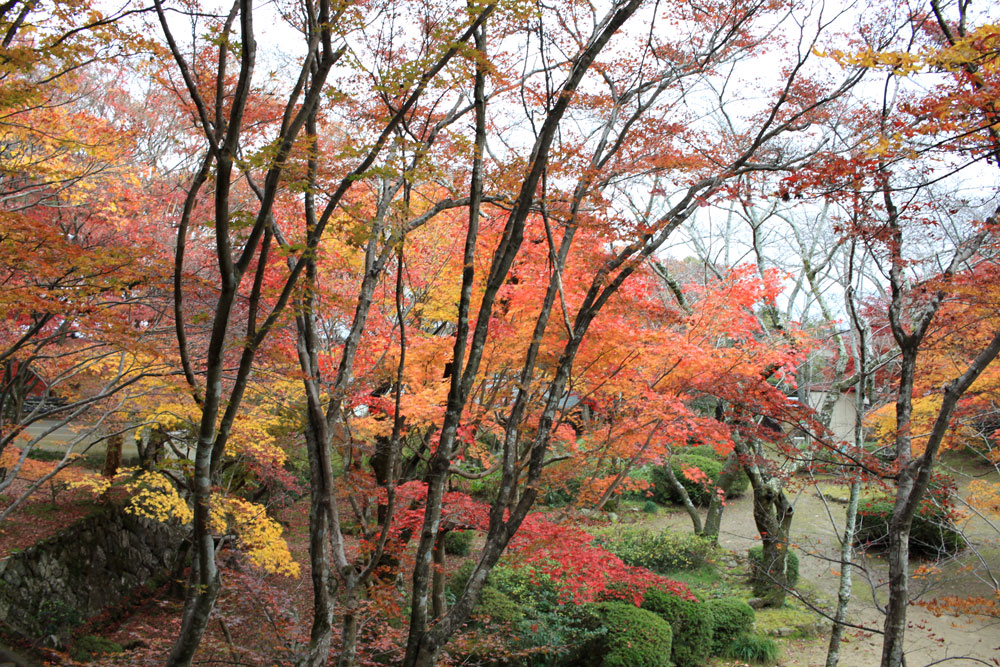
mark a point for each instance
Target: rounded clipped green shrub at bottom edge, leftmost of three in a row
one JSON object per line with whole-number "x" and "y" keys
{"x": 631, "y": 637}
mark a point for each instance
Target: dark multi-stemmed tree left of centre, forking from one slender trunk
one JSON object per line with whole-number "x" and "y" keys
{"x": 222, "y": 106}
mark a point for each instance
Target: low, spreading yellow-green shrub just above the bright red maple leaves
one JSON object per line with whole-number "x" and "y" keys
{"x": 660, "y": 551}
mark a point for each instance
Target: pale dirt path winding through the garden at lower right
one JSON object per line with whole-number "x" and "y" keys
{"x": 964, "y": 640}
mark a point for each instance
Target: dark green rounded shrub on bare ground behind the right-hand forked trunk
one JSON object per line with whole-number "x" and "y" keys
{"x": 933, "y": 531}
